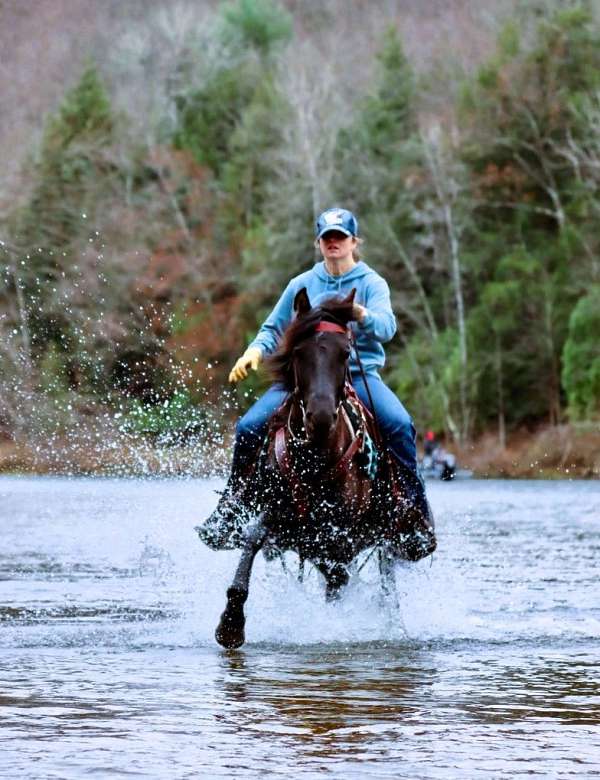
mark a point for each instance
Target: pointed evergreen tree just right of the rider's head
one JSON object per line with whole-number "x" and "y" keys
{"x": 406, "y": 193}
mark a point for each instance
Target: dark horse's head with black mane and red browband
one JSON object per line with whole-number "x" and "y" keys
{"x": 312, "y": 361}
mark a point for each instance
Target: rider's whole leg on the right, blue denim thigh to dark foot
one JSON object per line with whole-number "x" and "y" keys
{"x": 399, "y": 434}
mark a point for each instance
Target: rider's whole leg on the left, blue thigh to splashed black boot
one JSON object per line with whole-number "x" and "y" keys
{"x": 222, "y": 529}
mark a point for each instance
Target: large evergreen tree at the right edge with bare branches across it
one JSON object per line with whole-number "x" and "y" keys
{"x": 519, "y": 121}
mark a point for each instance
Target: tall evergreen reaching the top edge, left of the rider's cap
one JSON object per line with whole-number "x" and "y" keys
{"x": 232, "y": 123}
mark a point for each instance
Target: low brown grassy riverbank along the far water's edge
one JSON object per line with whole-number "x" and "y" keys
{"x": 562, "y": 452}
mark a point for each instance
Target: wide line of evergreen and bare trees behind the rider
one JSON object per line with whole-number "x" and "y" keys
{"x": 139, "y": 258}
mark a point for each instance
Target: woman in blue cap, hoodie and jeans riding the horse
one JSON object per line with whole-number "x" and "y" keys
{"x": 375, "y": 324}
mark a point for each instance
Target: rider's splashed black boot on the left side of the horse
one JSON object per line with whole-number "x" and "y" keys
{"x": 224, "y": 528}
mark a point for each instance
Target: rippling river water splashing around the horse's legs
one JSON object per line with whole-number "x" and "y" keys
{"x": 108, "y": 665}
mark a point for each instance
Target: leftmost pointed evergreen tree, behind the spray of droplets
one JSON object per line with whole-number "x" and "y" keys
{"x": 68, "y": 176}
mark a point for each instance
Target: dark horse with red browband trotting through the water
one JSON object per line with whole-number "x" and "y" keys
{"x": 320, "y": 487}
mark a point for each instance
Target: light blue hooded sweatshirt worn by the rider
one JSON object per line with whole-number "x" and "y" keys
{"x": 372, "y": 292}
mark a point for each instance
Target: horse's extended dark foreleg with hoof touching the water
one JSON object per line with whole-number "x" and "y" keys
{"x": 230, "y": 631}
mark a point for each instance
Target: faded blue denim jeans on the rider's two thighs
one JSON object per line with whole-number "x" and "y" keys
{"x": 394, "y": 421}
